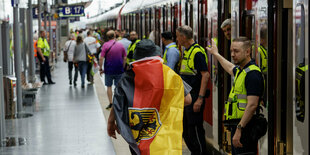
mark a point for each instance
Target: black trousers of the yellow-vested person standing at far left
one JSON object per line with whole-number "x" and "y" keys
{"x": 45, "y": 69}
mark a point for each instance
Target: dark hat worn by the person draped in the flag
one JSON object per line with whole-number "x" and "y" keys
{"x": 146, "y": 48}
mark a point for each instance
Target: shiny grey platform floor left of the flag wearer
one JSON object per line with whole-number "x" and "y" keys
{"x": 66, "y": 120}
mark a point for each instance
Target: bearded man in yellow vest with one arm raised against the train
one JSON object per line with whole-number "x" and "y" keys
{"x": 245, "y": 93}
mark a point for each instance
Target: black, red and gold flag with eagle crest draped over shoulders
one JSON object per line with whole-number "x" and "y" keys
{"x": 148, "y": 105}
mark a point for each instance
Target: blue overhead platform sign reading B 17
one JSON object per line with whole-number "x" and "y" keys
{"x": 71, "y": 11}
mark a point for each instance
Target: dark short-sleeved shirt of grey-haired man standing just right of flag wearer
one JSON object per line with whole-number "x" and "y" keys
{"x": 200, "y": 65}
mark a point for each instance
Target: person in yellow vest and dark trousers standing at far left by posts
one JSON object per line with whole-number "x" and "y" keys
{"x": 43, "y": 51}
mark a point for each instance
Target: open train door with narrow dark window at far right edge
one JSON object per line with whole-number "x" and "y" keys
{"x": 300, "y": 77}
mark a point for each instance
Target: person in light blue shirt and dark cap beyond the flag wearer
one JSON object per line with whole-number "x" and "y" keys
{"x": 171, "y": 55}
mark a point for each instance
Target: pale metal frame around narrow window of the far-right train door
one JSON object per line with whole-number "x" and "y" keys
{"x": 300, "y": 140}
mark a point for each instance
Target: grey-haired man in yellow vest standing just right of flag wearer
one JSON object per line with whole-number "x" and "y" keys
{"x": 194, "y": 71}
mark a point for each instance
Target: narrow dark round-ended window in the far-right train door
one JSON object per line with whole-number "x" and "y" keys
{"x": 300, "y": 91}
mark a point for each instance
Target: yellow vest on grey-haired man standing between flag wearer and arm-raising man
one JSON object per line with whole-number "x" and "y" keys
{"x": 187, "y": 64}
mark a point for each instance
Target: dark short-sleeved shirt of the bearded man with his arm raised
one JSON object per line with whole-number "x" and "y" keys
{"x": 254, "y": 81}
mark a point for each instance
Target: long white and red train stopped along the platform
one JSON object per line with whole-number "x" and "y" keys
{"x": 281, "y": 26}
